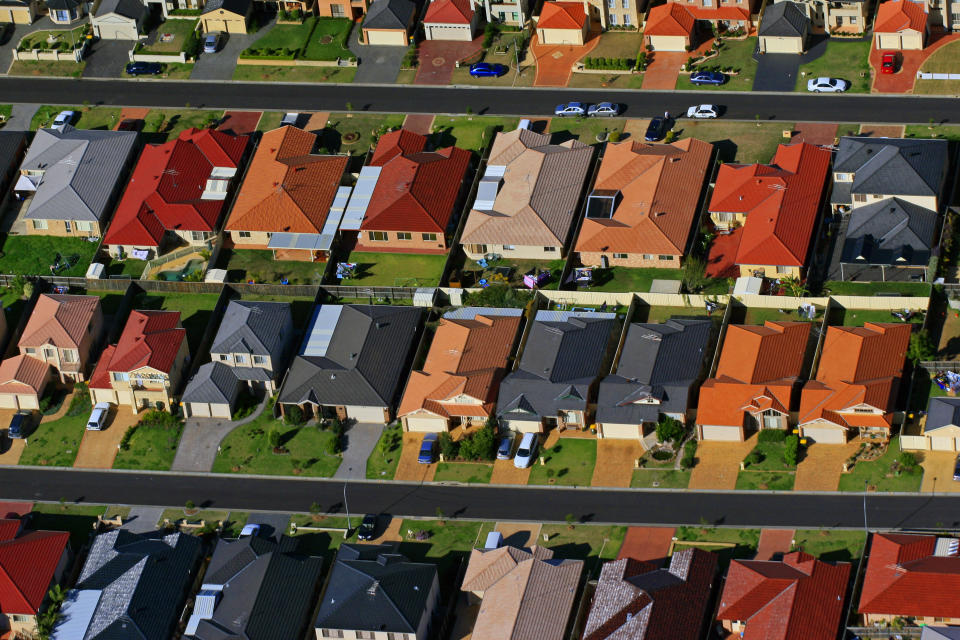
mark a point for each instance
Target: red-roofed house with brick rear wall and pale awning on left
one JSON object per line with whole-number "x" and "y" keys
{"x": 415, "y": 197}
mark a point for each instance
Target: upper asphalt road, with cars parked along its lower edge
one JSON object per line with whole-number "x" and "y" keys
{"x": 787, "y": 107}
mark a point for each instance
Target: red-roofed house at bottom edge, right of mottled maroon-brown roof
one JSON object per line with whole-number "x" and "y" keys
{"x": 798, "y": 597}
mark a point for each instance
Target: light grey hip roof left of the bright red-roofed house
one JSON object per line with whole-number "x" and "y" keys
{"x": 80, "y": 168}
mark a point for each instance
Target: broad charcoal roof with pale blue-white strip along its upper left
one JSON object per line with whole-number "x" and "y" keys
{"x": 364, "y": 363}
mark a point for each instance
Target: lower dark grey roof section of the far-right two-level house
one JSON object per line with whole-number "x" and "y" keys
{"x": 891, "y": 231}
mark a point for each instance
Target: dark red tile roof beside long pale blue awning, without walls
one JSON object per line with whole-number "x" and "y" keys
{"x": 416, "y": 191}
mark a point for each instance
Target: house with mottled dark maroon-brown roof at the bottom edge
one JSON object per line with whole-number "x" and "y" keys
{"x": 636, "y": 599}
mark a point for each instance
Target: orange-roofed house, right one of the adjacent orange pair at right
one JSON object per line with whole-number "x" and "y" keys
{"x": 857, "y": 382}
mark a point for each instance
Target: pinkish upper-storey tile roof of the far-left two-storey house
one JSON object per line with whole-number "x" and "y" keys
{"x": 60, "y": 320}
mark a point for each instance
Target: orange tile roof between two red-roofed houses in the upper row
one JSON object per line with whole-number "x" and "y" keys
{"x": 287, "y": 188}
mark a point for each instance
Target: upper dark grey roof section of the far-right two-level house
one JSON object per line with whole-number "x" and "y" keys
{"x": 892, "y": 166}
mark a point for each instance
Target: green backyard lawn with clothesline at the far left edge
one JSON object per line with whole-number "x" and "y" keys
{"x": 34, "y": 255}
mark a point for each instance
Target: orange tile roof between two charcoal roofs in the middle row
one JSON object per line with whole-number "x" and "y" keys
{"x": 467, "y": 357}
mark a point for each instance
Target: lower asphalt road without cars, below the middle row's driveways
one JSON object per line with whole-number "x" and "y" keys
{"x": 486, "y": 502}
